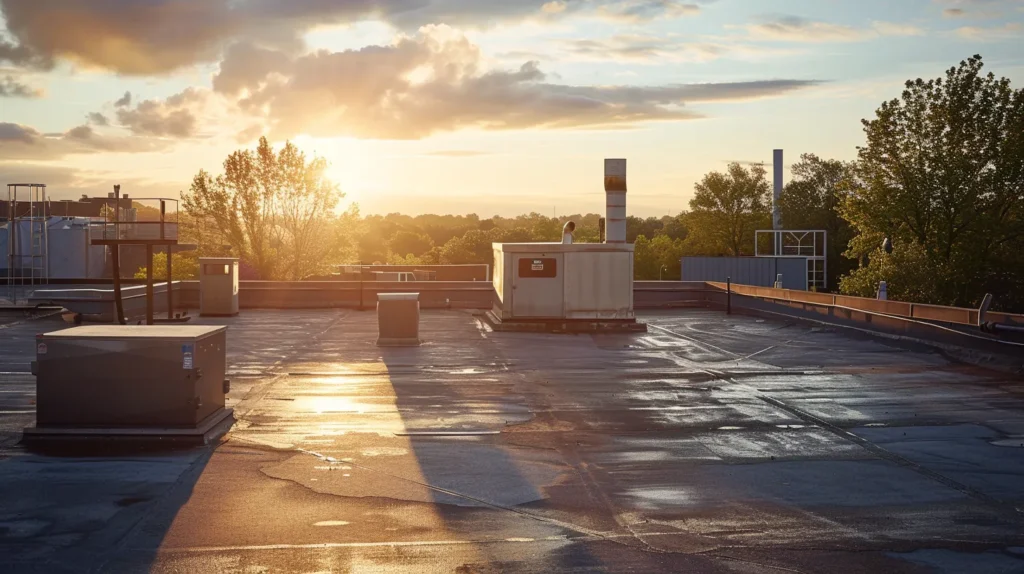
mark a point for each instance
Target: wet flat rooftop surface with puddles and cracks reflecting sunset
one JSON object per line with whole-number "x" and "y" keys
{"x": 712, "y": 444}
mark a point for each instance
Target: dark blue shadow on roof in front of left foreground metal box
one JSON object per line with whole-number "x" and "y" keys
{"x": 78, "y": 507}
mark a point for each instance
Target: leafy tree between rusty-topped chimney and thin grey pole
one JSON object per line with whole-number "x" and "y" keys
{"x": 728, "y": 209}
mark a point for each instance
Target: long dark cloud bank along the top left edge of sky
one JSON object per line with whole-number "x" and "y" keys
{"x": 159, "y": 36}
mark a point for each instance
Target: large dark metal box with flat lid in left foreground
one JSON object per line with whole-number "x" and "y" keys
{"x": 131, "y": 376}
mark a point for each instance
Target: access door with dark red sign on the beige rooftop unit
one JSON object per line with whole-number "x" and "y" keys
{"x": 538, "y": 286}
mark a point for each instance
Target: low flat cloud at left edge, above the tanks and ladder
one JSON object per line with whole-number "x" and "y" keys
{"x": 24, "y": 143}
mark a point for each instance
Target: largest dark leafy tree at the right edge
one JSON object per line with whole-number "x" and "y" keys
{"x": 943, "y": 174}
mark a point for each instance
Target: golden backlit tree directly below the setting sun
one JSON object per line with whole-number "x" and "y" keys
{"x": 276, "y": 210}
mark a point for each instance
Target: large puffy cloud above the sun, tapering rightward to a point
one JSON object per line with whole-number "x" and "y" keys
{"x": 435, "y": 82}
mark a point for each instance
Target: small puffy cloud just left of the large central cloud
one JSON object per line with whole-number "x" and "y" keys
{"x": 175, "y": 117}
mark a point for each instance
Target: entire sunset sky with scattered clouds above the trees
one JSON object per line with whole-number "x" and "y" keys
{"x": 493, "y": 107}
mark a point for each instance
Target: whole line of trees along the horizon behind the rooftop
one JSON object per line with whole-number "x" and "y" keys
{"x": 941, "y": 175}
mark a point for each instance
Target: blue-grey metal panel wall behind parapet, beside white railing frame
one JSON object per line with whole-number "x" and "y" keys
{"x": 759, "y": 272}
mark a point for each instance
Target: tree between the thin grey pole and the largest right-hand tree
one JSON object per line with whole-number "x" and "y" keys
{"x": 812, "y": 201}
